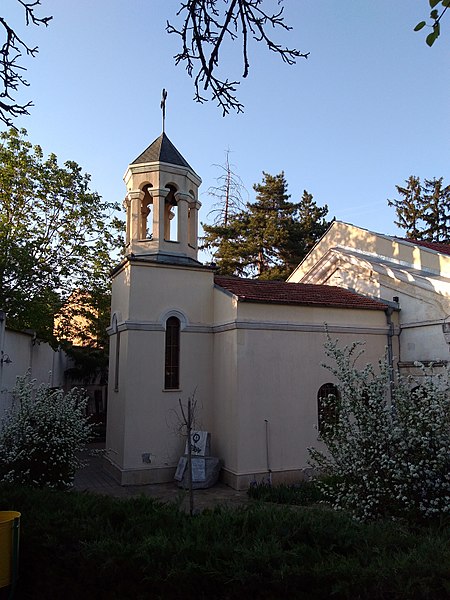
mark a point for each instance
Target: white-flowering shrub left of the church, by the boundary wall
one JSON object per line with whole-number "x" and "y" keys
{"x": 41, "y": 436}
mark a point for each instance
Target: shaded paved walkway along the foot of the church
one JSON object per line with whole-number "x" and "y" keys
{"x": 93, "y": 478}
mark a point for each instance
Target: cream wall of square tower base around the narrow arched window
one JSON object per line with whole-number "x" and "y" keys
{"x": 149, "y": 414}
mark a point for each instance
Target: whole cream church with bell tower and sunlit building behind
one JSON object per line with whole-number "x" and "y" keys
{"x": 249, "y": 351}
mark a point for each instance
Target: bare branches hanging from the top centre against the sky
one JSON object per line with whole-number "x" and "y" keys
{"x": 207, "y": 24}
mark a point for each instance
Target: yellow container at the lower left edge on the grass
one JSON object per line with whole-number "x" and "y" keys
{"x": 9, "y": 546}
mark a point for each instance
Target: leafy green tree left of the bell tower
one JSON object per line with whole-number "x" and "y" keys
{"x": 56, "y": 236}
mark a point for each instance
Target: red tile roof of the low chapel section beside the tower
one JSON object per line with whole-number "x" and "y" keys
{"x": 280, "y": 292}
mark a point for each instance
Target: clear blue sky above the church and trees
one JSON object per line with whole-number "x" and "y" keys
{"x": 366, "y": 110}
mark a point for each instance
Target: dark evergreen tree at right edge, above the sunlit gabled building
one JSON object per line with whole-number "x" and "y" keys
{"x": 423, "y": 210}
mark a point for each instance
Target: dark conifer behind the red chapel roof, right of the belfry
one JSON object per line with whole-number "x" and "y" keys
{"x": 270, "y": 237}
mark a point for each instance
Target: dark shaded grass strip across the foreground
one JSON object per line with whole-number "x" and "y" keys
{"x": 79, "y": 545}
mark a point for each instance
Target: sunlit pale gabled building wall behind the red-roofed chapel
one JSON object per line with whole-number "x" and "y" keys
{"x": 384, "y": 267}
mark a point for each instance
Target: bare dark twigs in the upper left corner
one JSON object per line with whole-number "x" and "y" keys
{"x": 11, "y": 72}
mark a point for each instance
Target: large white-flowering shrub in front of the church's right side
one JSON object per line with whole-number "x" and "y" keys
{"x": 388, "y": 444}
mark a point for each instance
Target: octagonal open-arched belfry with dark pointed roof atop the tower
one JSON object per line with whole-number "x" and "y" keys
{"x": 162, "y": 205}
